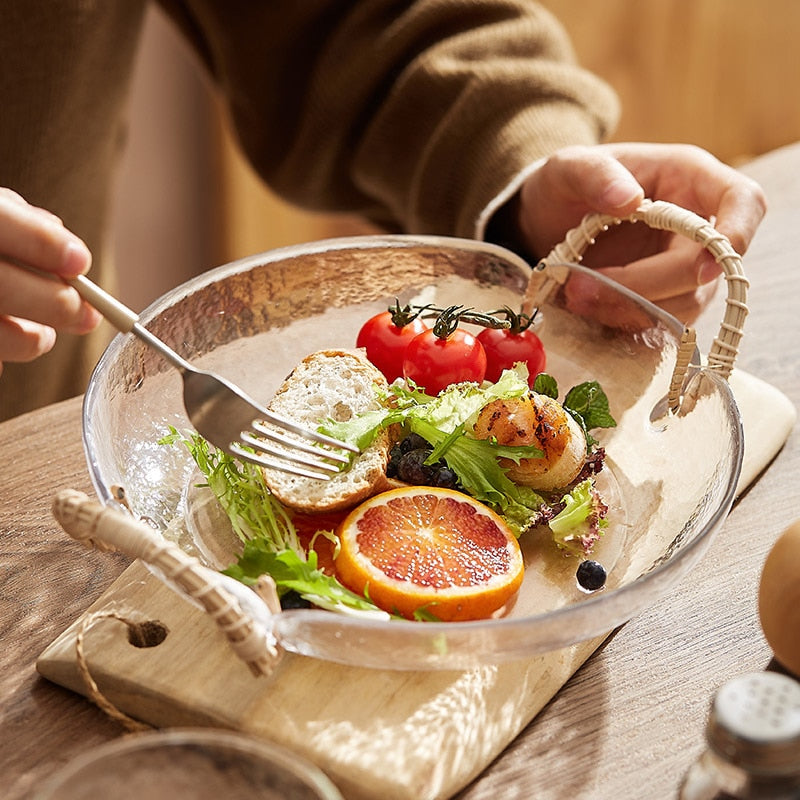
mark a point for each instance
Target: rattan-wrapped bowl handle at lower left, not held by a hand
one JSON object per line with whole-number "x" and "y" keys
{"x": 107, "y": 529}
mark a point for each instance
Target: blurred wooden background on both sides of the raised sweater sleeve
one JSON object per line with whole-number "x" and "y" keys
{"x": 722, "y": 74}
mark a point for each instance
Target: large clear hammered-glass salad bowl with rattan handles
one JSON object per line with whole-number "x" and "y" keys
{"x": 670, "y": 478}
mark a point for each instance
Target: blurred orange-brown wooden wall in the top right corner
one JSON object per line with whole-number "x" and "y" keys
{"x": 722, "y": 74}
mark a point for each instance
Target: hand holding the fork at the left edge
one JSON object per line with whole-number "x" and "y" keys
{"x": 33, "y": 307}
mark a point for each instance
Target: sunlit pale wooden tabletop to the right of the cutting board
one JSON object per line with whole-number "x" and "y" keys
{"x": 633, "y": 716}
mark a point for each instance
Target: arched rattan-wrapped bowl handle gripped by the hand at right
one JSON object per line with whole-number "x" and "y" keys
{"x": 665, "y": 216}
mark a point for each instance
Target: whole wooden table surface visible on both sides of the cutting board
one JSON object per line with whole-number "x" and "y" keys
{"x": 630, "y": 721}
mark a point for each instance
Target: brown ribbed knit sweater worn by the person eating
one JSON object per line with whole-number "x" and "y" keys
{"x": 417, "y": 115}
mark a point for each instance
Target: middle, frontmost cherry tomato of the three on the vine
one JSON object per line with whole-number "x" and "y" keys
{"x": 433, "y": 362}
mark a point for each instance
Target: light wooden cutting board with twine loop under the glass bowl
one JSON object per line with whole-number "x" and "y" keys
{"x": 377, "y": 733}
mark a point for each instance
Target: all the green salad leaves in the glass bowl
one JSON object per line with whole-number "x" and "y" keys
{"x": 270, "y": 541}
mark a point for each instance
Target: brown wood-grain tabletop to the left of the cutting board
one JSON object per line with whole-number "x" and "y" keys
{"x": 45, "y": 583}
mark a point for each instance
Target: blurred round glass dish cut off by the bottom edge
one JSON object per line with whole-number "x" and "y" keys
{"x": 197, "y": 763}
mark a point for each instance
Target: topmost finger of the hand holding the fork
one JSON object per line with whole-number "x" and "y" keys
{"x": 36, "y": 238}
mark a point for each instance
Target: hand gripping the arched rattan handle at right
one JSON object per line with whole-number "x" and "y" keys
{"x": 670, "y": 270}
